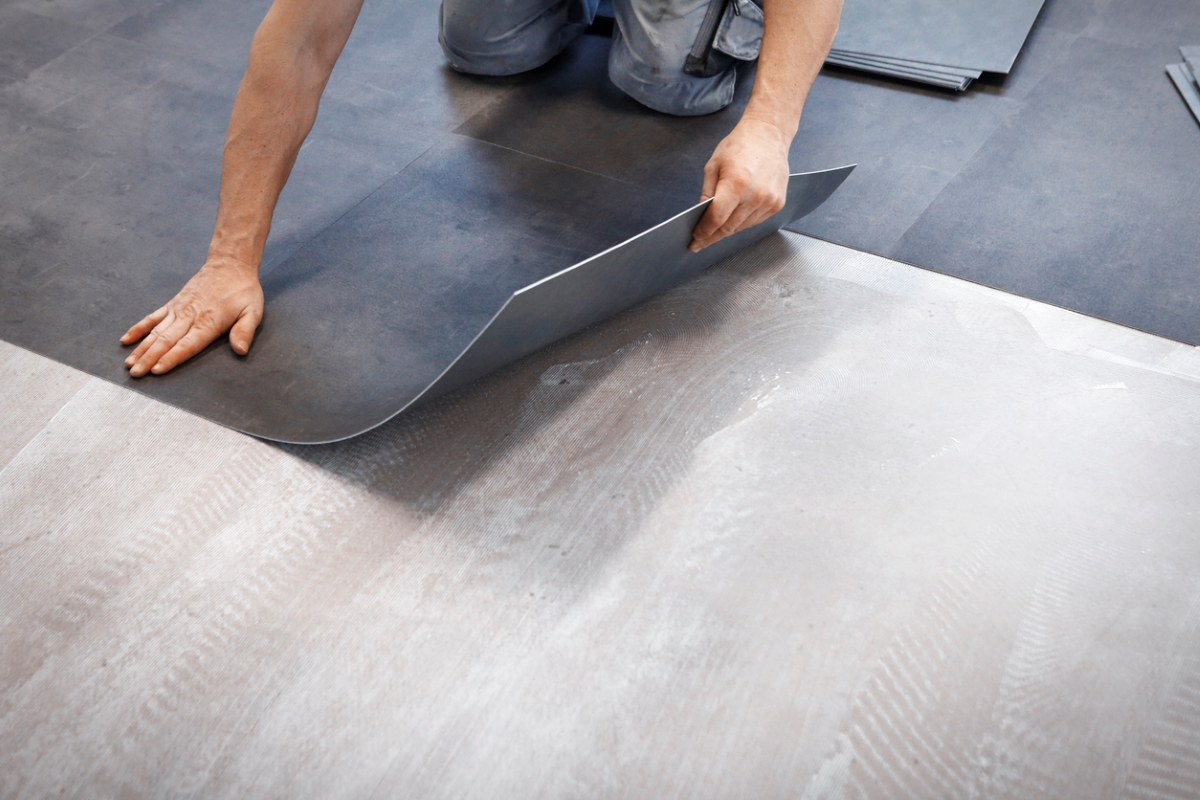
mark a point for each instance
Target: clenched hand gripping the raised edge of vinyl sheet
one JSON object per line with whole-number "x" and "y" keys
{"x": 747, "y": 179}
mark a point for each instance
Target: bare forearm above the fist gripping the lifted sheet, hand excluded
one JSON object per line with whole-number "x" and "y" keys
{"x": 797, "y": 37}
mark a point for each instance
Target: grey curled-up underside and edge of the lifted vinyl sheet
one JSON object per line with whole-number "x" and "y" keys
{"x": 602, "y": 286}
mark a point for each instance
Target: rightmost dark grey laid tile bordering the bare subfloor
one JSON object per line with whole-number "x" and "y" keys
{"x": 1085, "y": 200}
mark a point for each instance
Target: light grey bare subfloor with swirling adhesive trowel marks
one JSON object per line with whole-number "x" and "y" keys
{"x": 817, "y": 525}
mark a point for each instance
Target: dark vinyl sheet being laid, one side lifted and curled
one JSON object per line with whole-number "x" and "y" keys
{"x": 472, "y": 257}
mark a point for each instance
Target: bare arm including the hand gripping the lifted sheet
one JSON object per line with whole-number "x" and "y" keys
{"x": 747, "y": 176}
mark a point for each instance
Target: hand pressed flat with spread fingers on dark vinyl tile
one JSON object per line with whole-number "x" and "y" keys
{"x": 225, "y": 296}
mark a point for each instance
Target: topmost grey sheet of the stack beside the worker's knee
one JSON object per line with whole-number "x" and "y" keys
{"x": 971, "y": 34}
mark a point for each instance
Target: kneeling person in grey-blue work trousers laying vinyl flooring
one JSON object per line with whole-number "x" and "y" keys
{"x": 677, "y": 57}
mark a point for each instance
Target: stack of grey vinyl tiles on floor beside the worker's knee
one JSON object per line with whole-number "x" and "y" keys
{"x": 946, "y": 44}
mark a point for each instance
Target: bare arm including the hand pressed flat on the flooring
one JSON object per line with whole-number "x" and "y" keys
{"x": 291, "y": 59}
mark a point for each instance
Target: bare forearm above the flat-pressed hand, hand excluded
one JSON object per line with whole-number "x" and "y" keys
{"x": 291, "y": 61}
